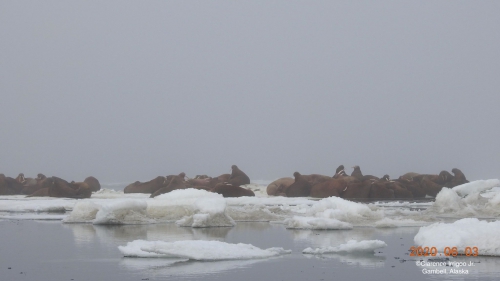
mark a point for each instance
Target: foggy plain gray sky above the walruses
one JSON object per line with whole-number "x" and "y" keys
{"x": 129, "y": 90}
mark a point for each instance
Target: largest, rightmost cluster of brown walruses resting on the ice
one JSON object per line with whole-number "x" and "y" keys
{"x": 365, "y": 187}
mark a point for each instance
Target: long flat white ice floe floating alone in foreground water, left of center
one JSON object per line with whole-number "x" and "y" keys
{"x": 198, "y": 250}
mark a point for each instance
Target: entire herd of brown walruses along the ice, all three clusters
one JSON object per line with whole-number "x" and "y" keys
{"x": 355, "y": 186}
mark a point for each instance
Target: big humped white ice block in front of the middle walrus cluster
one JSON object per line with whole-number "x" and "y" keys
{"x": 189, "y": 207}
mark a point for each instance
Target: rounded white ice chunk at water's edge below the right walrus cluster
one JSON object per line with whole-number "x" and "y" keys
{"x": 344, "y": 210}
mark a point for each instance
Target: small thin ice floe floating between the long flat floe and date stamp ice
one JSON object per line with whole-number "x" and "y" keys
{"x": 351, "y": 247}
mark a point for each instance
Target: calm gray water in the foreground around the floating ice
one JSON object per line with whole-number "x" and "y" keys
{"x": 38, "y": 250}
